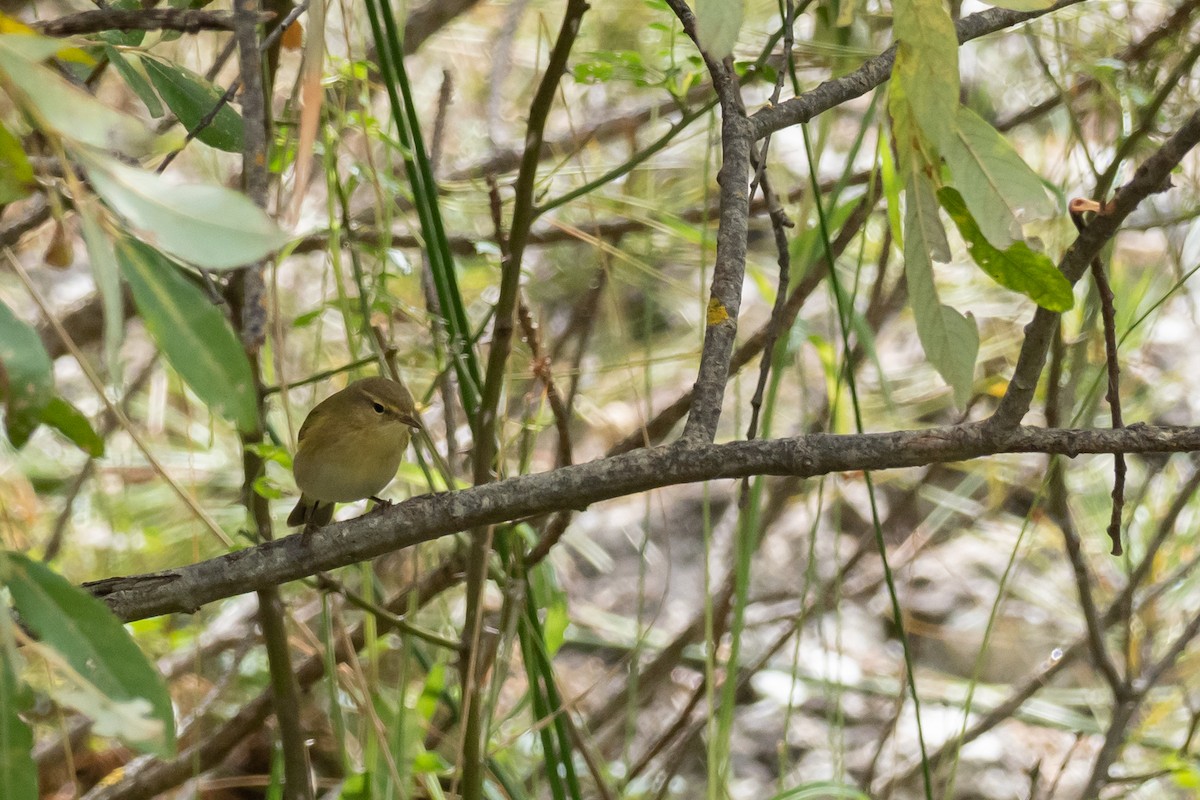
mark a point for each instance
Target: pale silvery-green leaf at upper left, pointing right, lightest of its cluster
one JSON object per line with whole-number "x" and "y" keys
{"x": 200, "y": 224}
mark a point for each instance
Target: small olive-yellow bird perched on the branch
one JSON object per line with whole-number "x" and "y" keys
{"x": 350, "y": 448}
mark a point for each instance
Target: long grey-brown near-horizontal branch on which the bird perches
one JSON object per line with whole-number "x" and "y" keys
{"x": 431, "y": 516}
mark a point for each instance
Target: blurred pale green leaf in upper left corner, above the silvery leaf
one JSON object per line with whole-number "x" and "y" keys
{"x": 65, "y": 109}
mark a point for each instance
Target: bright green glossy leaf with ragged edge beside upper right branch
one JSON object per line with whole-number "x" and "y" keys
{"x": 1018, "y": 267}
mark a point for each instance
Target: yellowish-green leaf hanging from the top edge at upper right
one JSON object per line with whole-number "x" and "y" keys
{"x": 927, "y": 69}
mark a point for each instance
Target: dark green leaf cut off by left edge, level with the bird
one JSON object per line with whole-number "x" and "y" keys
{"x": 27, "y": 378}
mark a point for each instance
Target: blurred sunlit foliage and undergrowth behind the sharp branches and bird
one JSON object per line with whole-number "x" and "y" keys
{"x": 616, "y": 279}
